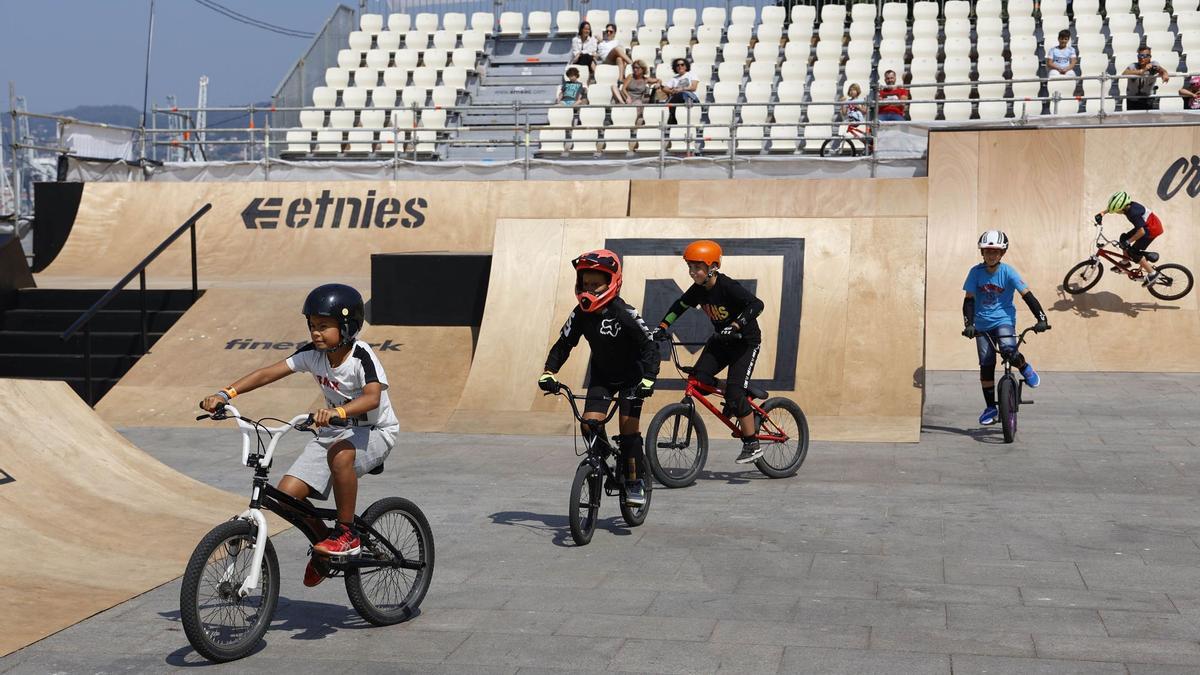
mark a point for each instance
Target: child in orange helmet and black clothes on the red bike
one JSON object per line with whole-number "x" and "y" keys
{"x": 736, "y": 342}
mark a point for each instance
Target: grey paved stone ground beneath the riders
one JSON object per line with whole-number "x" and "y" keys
{"x": 1073, "y": 551}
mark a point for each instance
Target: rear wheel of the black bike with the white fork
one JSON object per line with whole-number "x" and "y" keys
{"x": 407, "y": 529}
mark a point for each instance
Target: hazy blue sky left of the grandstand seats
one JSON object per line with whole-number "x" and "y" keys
{"x": 67, "y": 53}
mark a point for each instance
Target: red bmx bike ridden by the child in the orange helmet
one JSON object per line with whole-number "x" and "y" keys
{"x": 677, "y": 441}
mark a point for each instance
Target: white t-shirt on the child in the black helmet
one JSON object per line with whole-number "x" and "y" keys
{"x": 346, "y": 383}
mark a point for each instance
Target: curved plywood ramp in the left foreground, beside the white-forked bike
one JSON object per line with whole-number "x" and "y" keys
{"x": 74, "y": 493}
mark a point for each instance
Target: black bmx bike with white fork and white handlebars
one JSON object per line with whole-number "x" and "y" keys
{"x": 232, "y": 582}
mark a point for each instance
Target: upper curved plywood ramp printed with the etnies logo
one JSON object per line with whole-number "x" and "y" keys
{"x": 301, "y": 231}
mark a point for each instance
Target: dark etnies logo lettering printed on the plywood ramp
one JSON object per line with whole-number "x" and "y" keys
{"x": 267, "y": 213}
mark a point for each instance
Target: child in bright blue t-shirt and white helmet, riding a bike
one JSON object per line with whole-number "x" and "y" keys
{"x": 988, "y": 310}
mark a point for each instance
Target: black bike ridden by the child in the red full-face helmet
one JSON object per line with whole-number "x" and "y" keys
{"x": 596, "y": 477}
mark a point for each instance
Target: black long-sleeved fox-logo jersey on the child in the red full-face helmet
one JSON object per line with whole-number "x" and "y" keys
{"x": 622, "y": 350}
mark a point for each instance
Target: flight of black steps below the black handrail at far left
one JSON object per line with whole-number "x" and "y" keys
{"x": 33, "y": 320}
